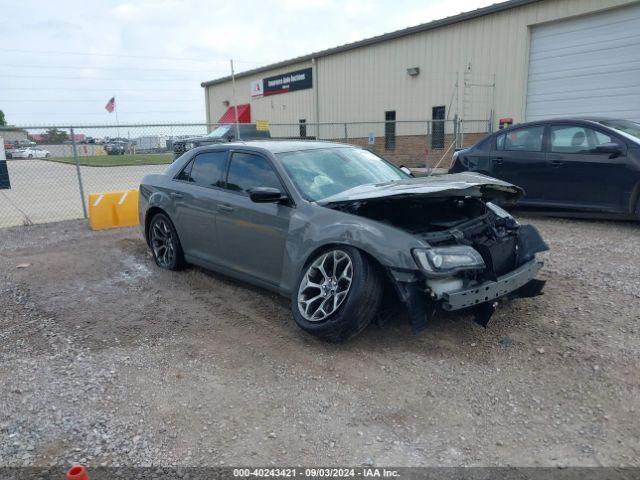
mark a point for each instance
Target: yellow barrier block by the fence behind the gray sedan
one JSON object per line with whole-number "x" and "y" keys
{"x": 113, "y": 209}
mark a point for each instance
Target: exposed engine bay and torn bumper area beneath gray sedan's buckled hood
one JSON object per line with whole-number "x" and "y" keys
{"x": 506, "y": 248}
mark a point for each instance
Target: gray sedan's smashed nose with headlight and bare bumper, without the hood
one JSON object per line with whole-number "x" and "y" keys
{"x": 496, "y": 259}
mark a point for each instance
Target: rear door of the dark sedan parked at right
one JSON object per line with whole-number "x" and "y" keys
{"x": 519, "y": 157}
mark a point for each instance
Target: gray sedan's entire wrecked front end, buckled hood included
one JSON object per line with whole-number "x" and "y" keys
{"x": 475, "y": 253}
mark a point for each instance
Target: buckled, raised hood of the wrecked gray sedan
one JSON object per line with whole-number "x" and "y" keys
{"x": 458, "y": 184}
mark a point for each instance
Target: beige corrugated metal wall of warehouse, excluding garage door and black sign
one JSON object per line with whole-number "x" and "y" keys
{"x": 361, "y": 84}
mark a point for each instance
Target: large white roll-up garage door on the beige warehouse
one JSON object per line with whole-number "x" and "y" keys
{"x": 587, "y": 66}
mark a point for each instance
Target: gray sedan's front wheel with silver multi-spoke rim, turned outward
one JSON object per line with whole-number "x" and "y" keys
{"x": 338, "y": 294}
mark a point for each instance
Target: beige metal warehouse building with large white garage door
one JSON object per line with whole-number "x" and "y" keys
{"x": 520, "y": 59}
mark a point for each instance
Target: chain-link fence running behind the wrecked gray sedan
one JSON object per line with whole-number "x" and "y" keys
{"x": 52, "y": 170}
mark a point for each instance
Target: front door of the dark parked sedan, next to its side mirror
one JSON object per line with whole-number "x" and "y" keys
{"x": 584, "y": 177}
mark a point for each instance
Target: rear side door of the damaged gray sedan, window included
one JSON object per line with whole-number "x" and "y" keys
{"x": 195, "y": 196}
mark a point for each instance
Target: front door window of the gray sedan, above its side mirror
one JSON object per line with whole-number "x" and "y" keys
{"x": 247, "y": 171}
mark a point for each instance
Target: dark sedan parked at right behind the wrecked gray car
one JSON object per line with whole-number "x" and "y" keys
{"x": 577, "y": 164}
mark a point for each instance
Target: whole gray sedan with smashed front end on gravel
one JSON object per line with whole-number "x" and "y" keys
{"x": 341, "y": 232}
